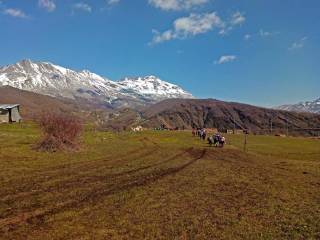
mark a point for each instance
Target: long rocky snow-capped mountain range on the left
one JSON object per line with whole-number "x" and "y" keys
{"x": 49, "y": 79}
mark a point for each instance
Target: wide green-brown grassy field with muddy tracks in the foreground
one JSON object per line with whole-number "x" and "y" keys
{"x": 159, "y": 185}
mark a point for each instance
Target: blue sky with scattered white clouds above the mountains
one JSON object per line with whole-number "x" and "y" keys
{"x": 254, "y": 51}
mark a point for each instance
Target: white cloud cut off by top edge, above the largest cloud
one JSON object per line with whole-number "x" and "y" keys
{"x": 176, "y": 4}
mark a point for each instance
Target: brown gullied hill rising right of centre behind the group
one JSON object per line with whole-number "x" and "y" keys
{"x": 209, "y": 113}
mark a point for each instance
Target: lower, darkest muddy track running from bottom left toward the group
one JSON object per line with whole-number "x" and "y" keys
{"x": 38, "y": 215}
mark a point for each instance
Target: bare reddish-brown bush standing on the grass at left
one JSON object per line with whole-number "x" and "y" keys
{"x": 60, "y": 132}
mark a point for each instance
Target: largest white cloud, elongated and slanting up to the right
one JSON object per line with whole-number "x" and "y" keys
{"x": 189, "y": 26}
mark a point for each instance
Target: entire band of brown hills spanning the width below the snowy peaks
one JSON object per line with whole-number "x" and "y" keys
{"x": 174, "y": 113}
